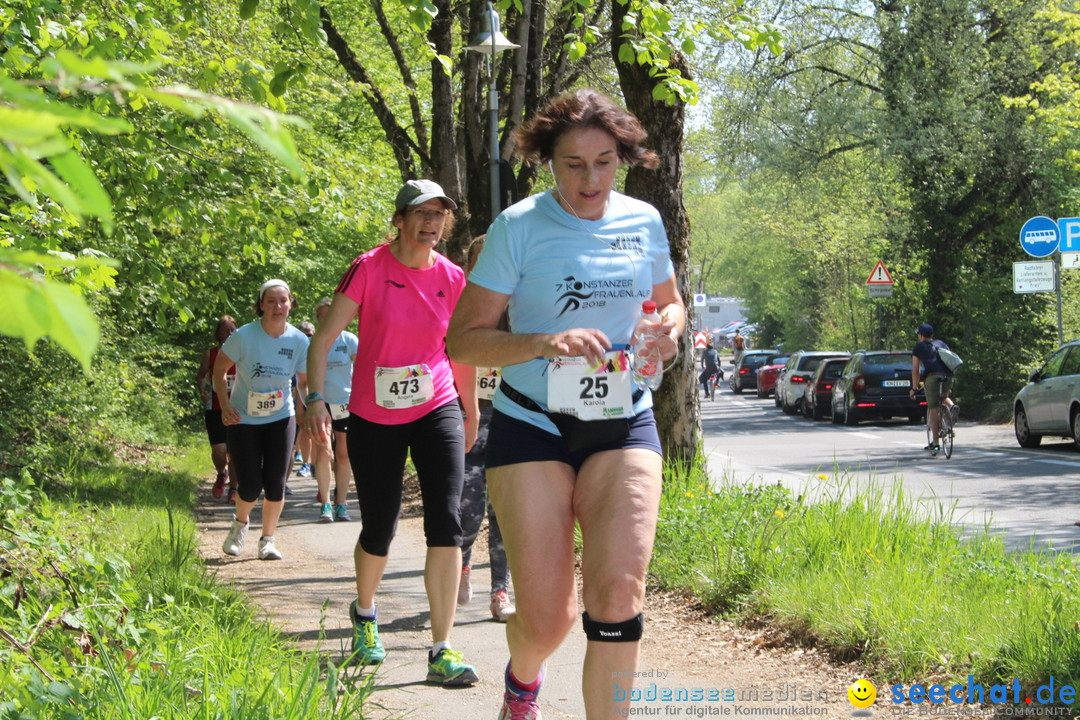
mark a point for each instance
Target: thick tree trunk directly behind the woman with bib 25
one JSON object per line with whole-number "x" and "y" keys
{"x": 677, "y": 406}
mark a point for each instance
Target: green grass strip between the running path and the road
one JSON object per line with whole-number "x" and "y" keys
{"x": 871, "y": 574}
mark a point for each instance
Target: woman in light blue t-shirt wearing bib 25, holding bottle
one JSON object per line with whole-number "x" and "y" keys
{"x": 573, "y": 267}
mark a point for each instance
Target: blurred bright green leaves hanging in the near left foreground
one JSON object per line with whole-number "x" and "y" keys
{"x": 59, "y": 91}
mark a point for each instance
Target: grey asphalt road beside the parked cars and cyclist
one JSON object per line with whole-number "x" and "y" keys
{"x": 1025, "y": 494}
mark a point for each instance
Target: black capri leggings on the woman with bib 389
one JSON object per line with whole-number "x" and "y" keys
{"x": 262, "y": 455}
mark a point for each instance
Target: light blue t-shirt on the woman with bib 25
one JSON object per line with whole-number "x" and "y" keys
{"x": 562, "y": 273}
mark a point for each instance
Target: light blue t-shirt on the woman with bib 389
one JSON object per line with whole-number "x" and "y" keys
{"x": 265, "y": 365}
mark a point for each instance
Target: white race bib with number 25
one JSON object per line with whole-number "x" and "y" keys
{"x": 588, "y": 391}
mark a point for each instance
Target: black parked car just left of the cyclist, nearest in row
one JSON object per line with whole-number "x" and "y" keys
{"x": 875, "y": 385}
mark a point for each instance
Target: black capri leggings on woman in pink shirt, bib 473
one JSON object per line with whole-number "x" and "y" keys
{"x": 377, "y": 455}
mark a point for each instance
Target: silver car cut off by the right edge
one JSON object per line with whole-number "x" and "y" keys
{"x": 1050, "y": 403}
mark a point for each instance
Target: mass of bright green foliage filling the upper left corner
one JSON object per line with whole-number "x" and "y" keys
{"x": 147, "y": 196}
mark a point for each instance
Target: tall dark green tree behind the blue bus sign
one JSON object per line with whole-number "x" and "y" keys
{"x": 975, "y": 167}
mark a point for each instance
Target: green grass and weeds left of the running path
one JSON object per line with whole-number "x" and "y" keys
{"x": 107, "y": 612}
